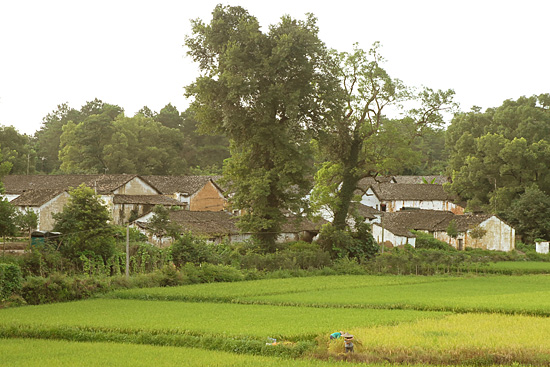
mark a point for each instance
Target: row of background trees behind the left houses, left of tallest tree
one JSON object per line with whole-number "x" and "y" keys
{"x": 100, "y": 138}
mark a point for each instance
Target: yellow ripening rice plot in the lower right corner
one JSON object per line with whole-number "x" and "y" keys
{"x": 466, "y": 338}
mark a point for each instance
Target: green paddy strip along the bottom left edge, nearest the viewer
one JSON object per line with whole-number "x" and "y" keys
{"x": 46, "y": 353}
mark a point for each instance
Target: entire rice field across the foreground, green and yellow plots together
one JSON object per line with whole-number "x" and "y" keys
{"x": 484, "y": 321}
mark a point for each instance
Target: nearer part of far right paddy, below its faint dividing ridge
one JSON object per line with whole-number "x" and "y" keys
{"x": 505, "y": 294}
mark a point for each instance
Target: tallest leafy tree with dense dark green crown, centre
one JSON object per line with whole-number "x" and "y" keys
{"x": 262, "y": 90}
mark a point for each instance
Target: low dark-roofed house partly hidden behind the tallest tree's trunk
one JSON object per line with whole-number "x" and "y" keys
{"x": 221, "y": 226}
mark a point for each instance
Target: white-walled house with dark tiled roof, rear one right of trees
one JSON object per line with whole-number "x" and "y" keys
{"x": 391, "y": 197}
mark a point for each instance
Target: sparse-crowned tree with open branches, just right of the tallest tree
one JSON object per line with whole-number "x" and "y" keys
{"x": 362, "y": 142}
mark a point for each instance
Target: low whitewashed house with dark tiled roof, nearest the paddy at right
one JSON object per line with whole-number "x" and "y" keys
{"x": 395, "y": 229}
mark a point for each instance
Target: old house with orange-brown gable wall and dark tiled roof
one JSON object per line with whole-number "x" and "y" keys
{"x": 195, "y": 193}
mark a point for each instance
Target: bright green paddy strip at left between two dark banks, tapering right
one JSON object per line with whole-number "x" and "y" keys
{"x": 199, "y": 319}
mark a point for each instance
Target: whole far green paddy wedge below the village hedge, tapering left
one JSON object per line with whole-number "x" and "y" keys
{"x": 528, "y": 294}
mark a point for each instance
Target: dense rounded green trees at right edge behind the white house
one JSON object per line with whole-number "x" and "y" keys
{"x": 495, "y": 155}
